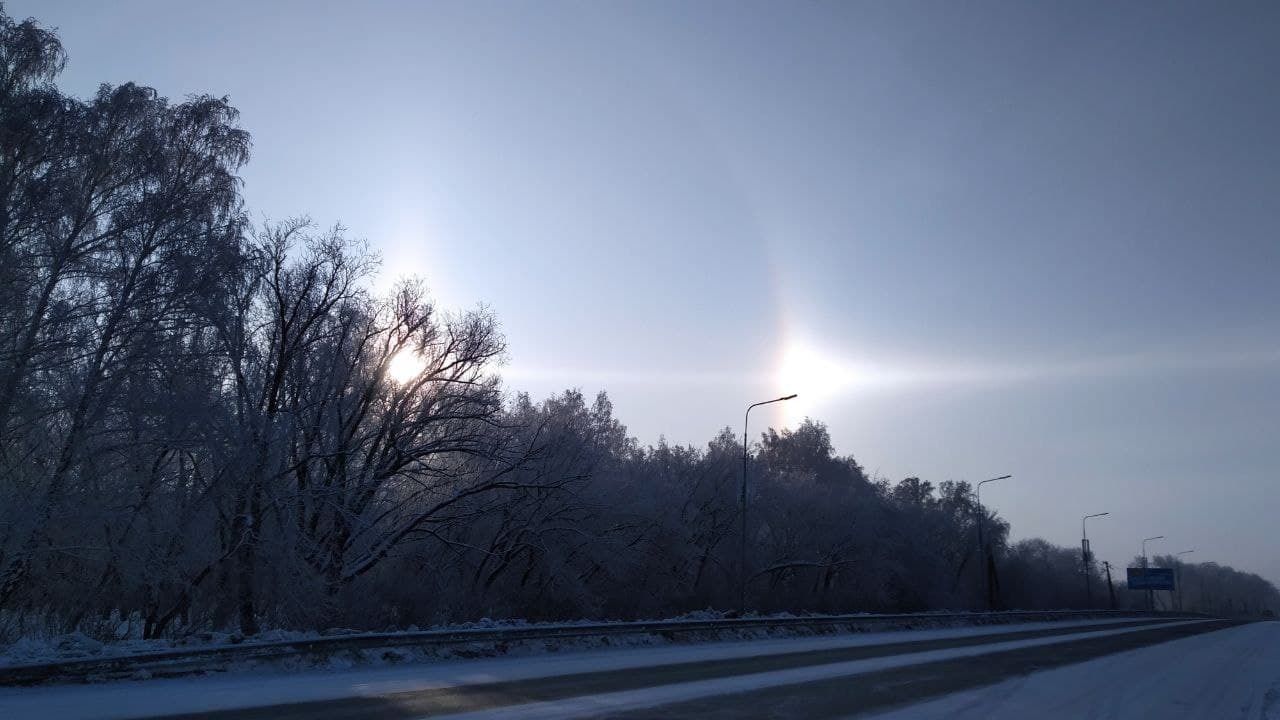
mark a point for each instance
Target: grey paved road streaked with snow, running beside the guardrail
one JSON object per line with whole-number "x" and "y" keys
{"x": 830, "y": 677}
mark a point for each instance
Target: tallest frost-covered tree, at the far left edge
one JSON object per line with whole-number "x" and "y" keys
{"x": 115, "y": 215}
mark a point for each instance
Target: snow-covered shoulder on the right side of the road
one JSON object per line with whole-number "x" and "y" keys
{"x": 1231, "y": 675}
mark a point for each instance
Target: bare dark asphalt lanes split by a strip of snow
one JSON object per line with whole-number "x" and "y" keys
{"x": 829, "y": 699}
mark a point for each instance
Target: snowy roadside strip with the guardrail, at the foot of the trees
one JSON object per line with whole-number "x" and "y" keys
{"x": 79, "y": 658}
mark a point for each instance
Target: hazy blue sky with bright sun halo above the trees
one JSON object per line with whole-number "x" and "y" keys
{"x": 977, "y": 239}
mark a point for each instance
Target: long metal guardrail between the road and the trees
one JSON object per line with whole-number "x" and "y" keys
{"x": 173, "y": 663}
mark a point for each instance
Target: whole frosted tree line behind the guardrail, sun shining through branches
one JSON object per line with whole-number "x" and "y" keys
{"x": 205, "y": 425}
